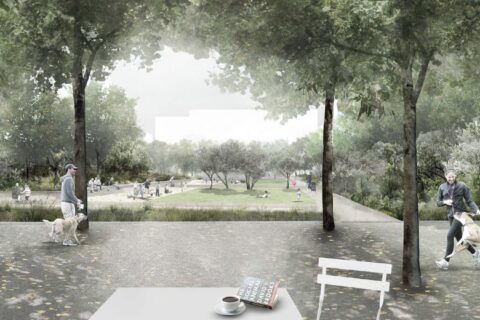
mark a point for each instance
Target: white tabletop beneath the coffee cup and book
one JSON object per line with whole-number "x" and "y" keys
{"x": 186, "y": 304}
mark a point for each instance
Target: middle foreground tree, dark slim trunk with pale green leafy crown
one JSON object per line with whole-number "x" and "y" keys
{"x": 283, "y": 53}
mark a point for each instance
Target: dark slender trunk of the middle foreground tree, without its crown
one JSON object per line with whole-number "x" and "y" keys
{"x": 327, "y": 167}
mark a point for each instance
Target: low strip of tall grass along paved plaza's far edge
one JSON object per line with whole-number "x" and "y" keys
{"x": 35, "y": 212}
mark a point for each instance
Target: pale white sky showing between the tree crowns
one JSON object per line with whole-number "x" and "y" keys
{"x": 177, "y": 85}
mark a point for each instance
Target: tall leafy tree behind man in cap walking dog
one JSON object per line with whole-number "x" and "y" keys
{"x": 69, "y": 42}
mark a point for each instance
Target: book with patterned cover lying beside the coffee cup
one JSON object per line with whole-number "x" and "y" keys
{"x": 259, "y": 292}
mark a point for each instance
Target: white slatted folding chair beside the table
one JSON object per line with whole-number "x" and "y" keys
{"x": 378, "y": 285}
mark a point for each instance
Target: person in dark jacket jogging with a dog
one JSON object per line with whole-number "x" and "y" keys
{"x": 451, "y": 194}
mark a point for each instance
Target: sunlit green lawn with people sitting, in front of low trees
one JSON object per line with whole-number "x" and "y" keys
{"x": 237, "y": 195}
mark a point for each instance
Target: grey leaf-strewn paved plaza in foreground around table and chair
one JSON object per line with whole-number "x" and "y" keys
{"x": 43, "y": 280}
